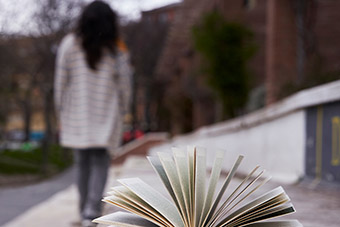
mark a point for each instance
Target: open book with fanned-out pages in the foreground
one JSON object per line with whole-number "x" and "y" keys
{"x": 196, "y": 202}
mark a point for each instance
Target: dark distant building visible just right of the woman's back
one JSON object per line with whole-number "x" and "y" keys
{"x": 145, "y": 39}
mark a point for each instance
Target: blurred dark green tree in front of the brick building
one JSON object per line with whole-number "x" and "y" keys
{"x": 226, "y": 48}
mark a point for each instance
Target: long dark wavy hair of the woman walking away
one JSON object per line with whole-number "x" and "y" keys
{"x": 97, "y": 29}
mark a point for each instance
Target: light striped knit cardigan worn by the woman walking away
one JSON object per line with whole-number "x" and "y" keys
{"x": 90, "y": 104}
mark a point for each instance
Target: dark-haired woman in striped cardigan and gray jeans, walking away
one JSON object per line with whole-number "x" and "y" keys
{"x": 92, "y": 89}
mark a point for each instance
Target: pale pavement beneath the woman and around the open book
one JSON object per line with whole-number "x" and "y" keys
{"x": 315, "y": 207}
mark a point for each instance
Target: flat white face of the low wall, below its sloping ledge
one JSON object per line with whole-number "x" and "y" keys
{"x": 278, "y": 146}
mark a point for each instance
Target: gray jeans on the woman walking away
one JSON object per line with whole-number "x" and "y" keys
{"x": 92, "y": 166}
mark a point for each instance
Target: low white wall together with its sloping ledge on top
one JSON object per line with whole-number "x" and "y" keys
{"x": 273, "y": 137}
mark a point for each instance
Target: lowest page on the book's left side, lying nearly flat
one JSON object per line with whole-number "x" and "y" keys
{"x": 124, "y": 219}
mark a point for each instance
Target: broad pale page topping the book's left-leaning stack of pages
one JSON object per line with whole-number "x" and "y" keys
{"x": 154, "y": 199}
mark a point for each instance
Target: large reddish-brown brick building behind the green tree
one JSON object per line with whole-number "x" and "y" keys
{"x": 297, "y": 46}
